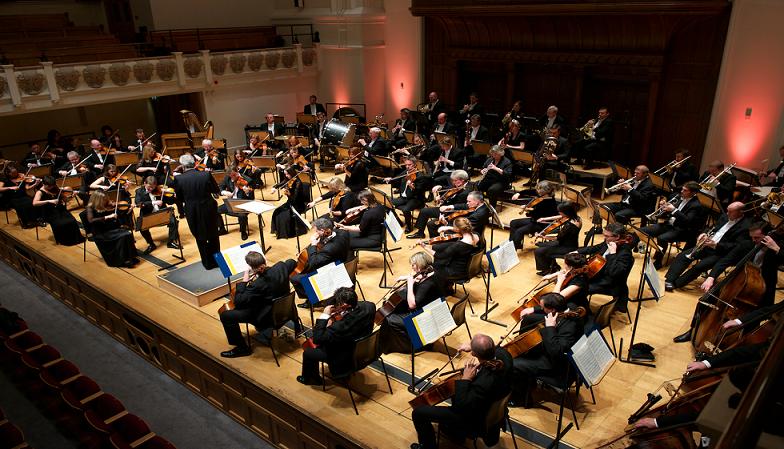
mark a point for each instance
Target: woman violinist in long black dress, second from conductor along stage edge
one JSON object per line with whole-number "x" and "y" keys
{"x": 52, "y": 204}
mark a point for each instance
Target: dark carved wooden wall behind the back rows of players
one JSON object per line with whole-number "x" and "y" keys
{"x": 654, "y": 63}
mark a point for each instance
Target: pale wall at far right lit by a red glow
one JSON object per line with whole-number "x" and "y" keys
{"x": 751, "y": 77}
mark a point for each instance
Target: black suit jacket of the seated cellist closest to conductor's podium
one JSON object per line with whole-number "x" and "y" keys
{"x": 259, "y": 293}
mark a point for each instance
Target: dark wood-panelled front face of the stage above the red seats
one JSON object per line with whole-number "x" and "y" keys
{"x": 276, "y": 421}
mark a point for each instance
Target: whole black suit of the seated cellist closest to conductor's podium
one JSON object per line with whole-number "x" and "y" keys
{"x": 253, "y": 301}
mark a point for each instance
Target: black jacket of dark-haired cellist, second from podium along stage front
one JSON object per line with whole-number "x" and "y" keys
{"x": 338, "y": 339}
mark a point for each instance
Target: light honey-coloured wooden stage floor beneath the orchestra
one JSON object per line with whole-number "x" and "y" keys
{"x": 384, "y": 420}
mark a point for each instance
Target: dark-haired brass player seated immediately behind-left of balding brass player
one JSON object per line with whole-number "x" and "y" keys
{"x": 682, "y": 222}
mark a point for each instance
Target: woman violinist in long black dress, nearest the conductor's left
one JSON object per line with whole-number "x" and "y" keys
{"x": 115, "y": 243}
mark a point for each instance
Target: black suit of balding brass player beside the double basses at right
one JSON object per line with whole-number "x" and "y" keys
{"x": 679, "y": 274}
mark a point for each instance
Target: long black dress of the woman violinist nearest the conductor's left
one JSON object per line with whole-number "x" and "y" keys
{"x": 115, "y": 243}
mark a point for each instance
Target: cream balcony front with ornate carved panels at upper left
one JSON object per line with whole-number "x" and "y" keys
{"x": 28, "y": 88}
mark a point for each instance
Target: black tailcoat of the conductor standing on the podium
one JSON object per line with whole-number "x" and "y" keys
{"x": 195, "y": 188}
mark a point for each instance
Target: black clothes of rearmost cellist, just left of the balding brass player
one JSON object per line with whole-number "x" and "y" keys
{"x": 613, "y": 278}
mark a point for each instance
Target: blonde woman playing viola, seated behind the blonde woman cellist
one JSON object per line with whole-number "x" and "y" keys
{"x": 452, "y": 258}
